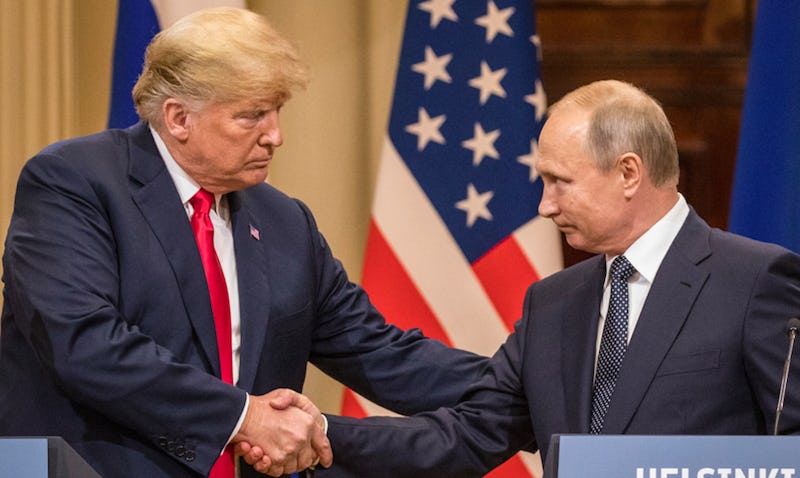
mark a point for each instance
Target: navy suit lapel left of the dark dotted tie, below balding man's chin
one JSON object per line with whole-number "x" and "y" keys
{"x": 580, "y": 333}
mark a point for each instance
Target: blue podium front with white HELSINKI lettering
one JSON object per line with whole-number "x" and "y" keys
{"x": 670, "y": 456}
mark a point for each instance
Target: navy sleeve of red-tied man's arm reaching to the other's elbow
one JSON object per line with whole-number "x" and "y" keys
{"x": 400, "y": 370}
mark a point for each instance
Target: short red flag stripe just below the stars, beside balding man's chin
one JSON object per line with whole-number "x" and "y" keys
{"x": 505, "y": 274}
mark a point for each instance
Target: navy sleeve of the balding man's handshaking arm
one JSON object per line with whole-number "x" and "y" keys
{"x": 488, "y": 427}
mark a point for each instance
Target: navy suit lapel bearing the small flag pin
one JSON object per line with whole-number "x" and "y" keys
{"x": 254, "y": 299}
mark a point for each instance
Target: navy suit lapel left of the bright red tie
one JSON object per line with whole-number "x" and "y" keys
{"x": 155, "y": 195}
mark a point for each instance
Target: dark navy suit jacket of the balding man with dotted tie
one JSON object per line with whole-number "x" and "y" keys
{"x": 705, "y": 358}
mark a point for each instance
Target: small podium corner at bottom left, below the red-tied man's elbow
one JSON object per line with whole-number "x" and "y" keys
{"x": 41, "y": 457}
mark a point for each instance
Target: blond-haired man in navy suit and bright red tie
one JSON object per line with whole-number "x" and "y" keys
{"x": 159, "y": 296}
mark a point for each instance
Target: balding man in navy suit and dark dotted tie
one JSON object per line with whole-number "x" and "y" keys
{"x": 673, "y": 328}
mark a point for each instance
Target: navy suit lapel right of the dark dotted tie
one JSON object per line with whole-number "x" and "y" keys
{"x": 668, "y": 304}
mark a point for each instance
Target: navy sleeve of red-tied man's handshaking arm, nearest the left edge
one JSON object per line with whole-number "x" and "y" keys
{"x": 62, "y": 283}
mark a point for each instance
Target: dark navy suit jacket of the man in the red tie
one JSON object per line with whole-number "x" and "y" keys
{"x": 107, "y": 331}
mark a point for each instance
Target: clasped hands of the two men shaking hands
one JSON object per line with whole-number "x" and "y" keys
{"x": 282, "y": 432}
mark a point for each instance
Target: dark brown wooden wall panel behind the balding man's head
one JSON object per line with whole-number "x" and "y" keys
{"x": 691, "y": 55}
